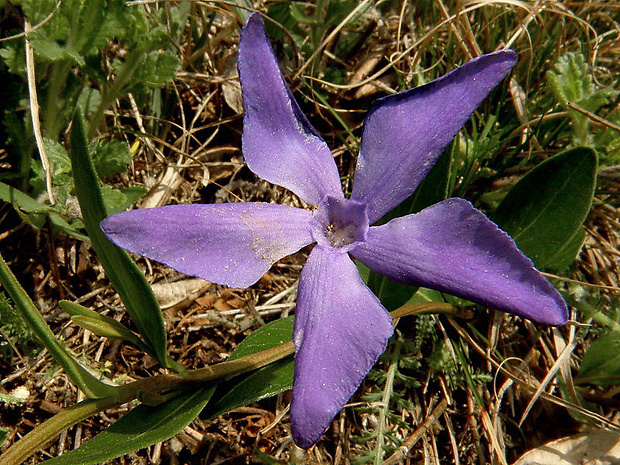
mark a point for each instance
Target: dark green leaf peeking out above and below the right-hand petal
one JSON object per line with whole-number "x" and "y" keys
{"x": 433, "y": 189}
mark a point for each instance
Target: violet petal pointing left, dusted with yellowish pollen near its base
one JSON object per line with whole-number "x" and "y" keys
{"x": 232, "y": 244}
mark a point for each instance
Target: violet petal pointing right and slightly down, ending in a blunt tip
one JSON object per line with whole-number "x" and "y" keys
{"x": 454, "y": 248}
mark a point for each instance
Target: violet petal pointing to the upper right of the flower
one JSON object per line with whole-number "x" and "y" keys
{"x": 405, "y": 133}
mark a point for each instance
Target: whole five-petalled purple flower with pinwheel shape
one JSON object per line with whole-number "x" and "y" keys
{"x": 341, "y": 327}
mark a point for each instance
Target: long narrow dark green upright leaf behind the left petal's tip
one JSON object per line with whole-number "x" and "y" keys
{"x": 124, "y": 275}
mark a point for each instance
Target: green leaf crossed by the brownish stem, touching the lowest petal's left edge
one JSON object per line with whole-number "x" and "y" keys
{"x": 260, "y": 384}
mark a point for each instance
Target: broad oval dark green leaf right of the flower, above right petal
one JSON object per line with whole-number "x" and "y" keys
{"x": 545, "y": 209}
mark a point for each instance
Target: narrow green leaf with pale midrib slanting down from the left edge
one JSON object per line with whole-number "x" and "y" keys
{"x": 81, "y": 377}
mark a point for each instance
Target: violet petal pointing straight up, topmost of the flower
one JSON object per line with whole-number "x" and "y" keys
{"x": 279, "y": 143}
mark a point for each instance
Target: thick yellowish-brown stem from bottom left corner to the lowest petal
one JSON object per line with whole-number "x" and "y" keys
{"x": 155, "y": 385}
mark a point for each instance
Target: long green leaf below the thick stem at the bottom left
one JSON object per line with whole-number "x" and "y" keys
{"x": 143, "y": 426}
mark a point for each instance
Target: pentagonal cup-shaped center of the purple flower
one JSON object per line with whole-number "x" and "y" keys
{"x": 340, "y": 223}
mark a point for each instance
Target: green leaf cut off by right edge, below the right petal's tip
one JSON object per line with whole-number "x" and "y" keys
{"x": 601, "y": 362}
